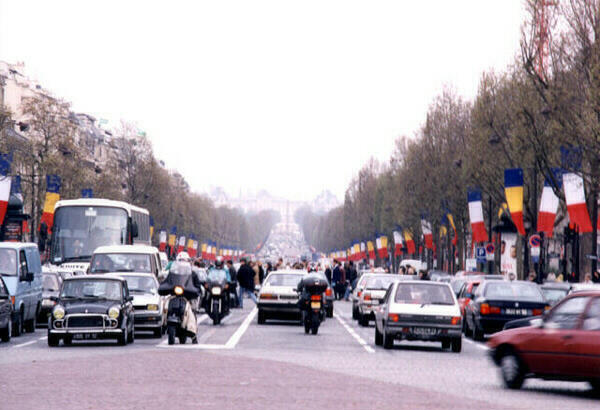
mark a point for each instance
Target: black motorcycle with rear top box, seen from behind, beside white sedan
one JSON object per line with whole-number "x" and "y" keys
{"x": 312, "y": 304}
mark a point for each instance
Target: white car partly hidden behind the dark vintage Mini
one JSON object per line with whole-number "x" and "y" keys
{"x": 148, "y": 312}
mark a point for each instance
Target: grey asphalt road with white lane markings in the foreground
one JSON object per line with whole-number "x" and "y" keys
{"x": 241, "y": 364}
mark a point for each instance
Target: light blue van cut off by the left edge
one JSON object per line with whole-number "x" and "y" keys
{"x": 21, "y": 269}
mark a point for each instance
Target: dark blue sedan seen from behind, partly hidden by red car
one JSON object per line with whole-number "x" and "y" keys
{"x": 495, "y": 303}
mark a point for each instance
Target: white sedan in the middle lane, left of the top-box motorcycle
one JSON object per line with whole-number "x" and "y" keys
{"x": 278, "y": 296}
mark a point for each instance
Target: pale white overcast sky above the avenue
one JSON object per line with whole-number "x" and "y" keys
{"x": 288, "y": 96}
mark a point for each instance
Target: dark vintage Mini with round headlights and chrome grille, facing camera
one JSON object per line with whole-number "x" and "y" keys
{"x": 92, "y": 307}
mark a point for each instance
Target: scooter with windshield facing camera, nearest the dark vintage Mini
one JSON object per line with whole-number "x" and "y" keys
{"x": 179, "y": 284}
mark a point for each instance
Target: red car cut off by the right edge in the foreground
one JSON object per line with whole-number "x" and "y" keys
{"x": 564, "y": 345}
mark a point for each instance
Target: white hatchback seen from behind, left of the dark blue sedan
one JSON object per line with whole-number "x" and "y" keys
{"x": 419, "y": 310}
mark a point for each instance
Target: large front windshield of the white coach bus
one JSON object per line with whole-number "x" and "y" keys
{"x": 79, "y": 230}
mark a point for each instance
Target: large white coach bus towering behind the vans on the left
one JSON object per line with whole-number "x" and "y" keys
{"x": 82, "y": 225}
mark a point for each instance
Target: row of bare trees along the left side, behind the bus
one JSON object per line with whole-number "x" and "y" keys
{"x": 52, "y": 142}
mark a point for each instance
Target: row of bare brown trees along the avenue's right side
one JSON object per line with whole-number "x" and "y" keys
{"x": 520, "y": 117}
